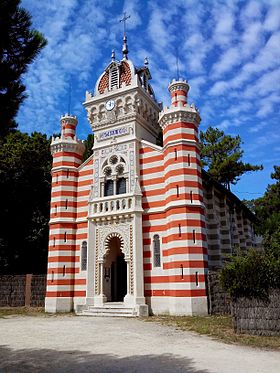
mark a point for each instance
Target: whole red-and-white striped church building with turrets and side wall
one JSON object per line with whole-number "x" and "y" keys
{"x": 166, "y": 199}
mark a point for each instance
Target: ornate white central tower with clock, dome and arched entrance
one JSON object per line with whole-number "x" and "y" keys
{"x": 122, "y": 111}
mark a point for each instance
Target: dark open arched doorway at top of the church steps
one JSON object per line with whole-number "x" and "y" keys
{"x": 115, "y": 272}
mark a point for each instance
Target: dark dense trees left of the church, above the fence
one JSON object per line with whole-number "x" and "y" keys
{"x": 25, "y": 183}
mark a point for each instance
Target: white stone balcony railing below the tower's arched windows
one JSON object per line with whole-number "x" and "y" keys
{"x": 117, "y": 204}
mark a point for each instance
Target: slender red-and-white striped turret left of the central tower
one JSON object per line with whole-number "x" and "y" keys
{"x": 67, "y": 154}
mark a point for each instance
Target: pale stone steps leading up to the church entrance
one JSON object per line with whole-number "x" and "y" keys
{"x": 109, "y": 309}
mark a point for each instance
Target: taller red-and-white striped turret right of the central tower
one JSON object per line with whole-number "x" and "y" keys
{"x": 186, "y": 245}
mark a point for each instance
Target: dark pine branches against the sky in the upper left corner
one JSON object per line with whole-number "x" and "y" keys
{"x": 19, "y": 46}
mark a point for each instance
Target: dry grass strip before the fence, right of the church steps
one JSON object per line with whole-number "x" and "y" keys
{"x": 217, "y": 327}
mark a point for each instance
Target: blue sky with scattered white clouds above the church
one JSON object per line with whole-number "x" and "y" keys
{"x": 229, "y": 51}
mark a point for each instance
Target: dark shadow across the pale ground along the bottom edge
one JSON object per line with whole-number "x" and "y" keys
{"x": 46, "y": 360}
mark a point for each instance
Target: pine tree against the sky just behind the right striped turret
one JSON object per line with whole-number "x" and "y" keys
{"x": 222, "y": 155}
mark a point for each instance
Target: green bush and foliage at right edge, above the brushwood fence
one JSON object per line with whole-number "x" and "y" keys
{"x": 253, "y": 273}
